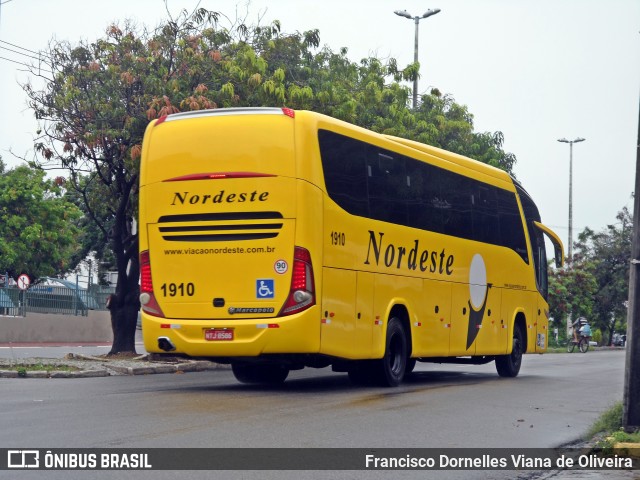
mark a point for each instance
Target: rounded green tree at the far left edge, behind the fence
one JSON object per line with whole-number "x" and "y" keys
{"x": 38, "y": 235}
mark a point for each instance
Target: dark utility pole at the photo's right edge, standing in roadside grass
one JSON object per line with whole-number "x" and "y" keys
{"x": 631, "y": 395}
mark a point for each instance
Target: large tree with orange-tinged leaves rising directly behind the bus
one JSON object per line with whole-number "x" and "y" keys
{"x": 101, "y": 95}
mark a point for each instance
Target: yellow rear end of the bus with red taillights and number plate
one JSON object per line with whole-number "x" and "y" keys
{"x": 226, "y": 258}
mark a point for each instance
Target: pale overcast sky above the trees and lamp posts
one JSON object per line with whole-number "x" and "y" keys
{"x": 537, "y": 70}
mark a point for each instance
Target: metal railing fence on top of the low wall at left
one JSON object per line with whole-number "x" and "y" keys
{"x": 43, "y": 298}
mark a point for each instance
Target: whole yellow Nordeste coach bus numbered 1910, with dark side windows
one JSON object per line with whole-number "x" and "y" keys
{"x": 274, "y": 239}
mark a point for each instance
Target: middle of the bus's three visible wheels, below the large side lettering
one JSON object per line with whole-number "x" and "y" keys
{"x": 391, "y": 367}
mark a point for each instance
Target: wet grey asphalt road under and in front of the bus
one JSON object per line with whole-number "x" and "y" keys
{"x": 553, "y": 401}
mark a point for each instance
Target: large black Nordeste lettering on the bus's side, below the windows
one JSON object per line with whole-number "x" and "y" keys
{"x": 412, "y": 258}
